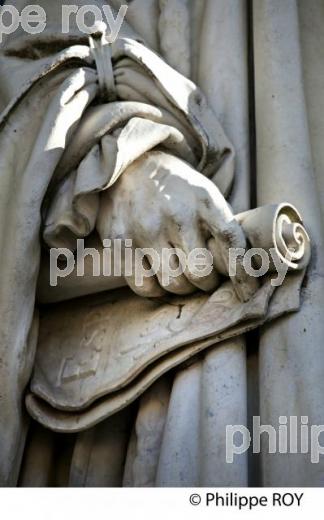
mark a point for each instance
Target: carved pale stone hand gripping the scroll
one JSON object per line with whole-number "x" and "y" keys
{"x": 162, "y": 202}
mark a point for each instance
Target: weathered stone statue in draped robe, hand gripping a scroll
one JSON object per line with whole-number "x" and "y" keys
{"x": 127, "y": 385}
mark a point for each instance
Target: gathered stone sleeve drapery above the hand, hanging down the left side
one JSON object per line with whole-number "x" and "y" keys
{"x": 46, "y": 115}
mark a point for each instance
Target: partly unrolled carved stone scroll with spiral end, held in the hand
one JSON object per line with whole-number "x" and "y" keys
{"x": 105, "y": 353}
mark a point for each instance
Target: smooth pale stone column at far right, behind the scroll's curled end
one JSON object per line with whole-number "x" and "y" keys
{"x": 291, "y": 350}
